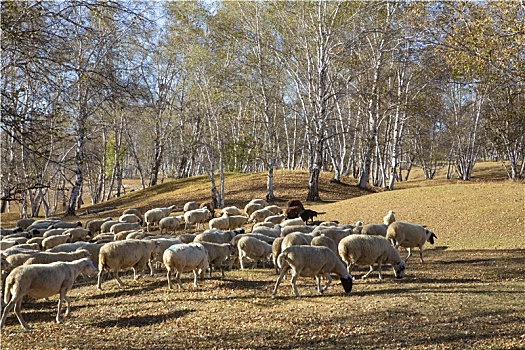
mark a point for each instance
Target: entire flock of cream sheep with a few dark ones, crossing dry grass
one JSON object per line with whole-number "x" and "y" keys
{"x": 44, "y": 258}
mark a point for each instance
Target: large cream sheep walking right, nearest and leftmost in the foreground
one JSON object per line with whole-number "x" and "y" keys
{"x": 42, "y": 281}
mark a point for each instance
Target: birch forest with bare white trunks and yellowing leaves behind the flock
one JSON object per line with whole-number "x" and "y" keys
{"x": 94, "y": 92}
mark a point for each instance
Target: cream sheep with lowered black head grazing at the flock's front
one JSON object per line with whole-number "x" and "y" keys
{"x": 310, "y": 261}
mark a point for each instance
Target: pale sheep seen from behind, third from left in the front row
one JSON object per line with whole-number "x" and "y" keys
{"x": 185, "y": 258}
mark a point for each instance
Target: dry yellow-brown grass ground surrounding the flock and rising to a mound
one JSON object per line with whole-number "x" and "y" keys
{"x": 467, "y": 294}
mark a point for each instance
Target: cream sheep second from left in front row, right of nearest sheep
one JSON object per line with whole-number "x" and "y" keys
{"x": 119, "y": 255}
